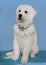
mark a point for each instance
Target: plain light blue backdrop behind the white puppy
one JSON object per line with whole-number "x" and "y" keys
{"x": 7, "y": 20}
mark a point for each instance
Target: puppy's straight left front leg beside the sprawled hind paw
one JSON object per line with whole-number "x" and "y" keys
{"x": 16, "y": 50}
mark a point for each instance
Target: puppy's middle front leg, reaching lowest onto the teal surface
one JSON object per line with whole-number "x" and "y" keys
{"x": 26, "y": 53}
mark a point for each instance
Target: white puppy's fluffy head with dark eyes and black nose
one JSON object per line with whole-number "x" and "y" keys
{"x": 25, "y": 15}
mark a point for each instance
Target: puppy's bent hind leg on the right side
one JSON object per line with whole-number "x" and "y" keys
{"x": 35, "y": 48}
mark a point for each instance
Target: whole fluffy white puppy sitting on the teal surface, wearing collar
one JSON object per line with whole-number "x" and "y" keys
{"x": 25, "y": 38}
